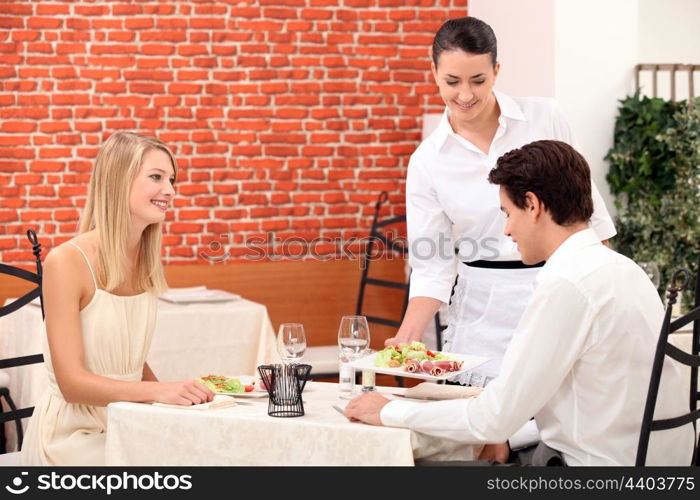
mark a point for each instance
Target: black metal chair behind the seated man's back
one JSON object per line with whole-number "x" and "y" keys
{"x": 664, "y": 348}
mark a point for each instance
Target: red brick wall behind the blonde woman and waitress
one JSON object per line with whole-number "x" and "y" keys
{"x": 287, "y": 117}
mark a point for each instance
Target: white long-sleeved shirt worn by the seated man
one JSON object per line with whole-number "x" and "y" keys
{"x": 580, "y": 362}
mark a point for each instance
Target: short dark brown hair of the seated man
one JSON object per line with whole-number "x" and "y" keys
{"x": 555, "y": 172}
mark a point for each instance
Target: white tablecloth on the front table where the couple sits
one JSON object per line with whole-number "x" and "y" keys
{"x": 141, "y": 434}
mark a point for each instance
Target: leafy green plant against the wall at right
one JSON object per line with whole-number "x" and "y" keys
{"x": 655, "y": 177}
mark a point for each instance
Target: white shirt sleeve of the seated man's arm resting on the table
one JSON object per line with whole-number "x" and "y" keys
{"x": 556, "y": 325}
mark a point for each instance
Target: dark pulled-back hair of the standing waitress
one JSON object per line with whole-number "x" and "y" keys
{"x": 466, "y": 33}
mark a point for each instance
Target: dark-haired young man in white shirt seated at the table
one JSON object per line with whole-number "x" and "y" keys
{"x": 581, "y": 357}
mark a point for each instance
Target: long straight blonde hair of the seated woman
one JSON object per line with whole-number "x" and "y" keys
{"x": 107, "y": 210}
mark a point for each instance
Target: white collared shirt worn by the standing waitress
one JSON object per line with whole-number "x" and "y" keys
{"x": 449, "y": 198}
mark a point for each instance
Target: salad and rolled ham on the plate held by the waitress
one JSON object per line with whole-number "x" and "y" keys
{"x": 416, "y": 358}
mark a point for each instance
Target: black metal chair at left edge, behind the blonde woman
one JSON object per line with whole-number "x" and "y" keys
{"x": 18, "y": 414}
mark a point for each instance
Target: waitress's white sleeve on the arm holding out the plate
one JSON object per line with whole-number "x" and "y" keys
{"x": 431, "y": 249}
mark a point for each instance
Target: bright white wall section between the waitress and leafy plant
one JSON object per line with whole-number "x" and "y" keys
{"x": 596, "y": 52}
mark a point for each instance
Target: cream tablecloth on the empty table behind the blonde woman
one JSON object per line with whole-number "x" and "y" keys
{"x": 190, "y": 340}
